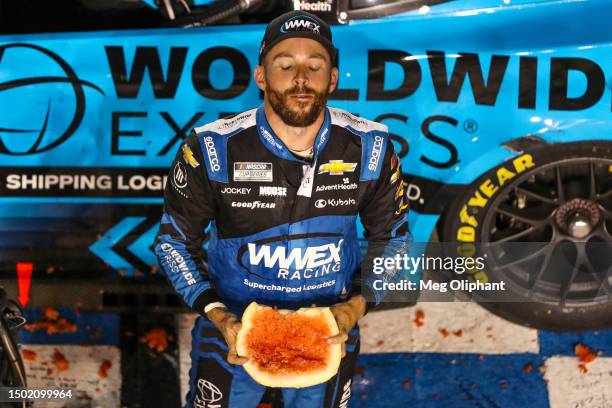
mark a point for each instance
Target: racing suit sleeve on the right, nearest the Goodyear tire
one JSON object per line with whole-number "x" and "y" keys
{"x": 384, "y": 216}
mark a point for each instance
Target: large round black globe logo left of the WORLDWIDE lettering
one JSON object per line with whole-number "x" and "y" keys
{"x": 45, "y": 115}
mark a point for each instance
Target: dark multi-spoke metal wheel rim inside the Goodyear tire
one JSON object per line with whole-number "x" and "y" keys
{"x": 558, "y": 222}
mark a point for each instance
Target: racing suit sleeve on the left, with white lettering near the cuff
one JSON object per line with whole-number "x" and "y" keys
{"x": 189, "y": 206}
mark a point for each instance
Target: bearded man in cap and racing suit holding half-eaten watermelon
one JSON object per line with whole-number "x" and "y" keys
{"x": 281, "y": 186}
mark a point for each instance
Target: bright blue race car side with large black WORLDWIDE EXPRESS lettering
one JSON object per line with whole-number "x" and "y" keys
{"x": 91, "y": 121}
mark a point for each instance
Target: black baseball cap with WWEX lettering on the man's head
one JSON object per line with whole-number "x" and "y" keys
{"x": 298, "y": 24}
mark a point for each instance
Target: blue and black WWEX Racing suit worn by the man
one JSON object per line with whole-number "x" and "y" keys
{"x": 282, "y": 232}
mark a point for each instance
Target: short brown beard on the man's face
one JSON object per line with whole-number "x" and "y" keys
{"x": 297, "y": 118}
